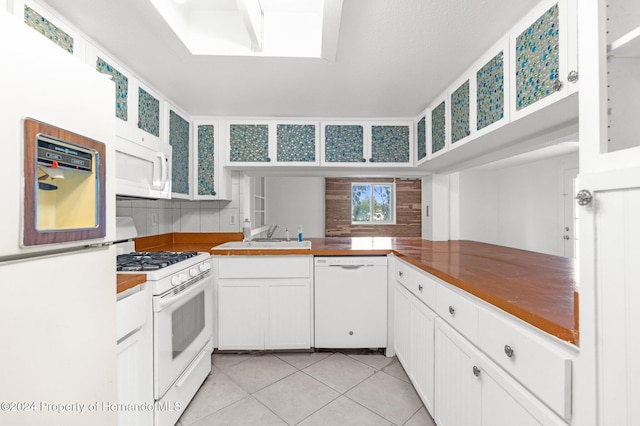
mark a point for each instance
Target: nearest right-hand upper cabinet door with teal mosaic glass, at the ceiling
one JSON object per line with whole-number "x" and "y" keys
{"x": 543, "y": 67}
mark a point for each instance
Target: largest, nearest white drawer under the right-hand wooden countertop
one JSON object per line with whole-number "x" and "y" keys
{"x": 532, "y": 360}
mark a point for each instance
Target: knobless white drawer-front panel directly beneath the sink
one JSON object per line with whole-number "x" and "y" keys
{"x": 264, "y": 266}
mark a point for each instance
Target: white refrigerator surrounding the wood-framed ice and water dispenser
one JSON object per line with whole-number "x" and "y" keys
{"x": 58, "y": 303}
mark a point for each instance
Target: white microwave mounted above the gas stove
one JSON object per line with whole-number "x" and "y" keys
{"x": 143, "y": 169}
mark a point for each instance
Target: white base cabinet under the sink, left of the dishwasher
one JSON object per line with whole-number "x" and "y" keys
{"x": 264, "y": 302}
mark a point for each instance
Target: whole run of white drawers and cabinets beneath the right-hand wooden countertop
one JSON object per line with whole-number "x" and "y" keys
{"x": 473, "y": 364}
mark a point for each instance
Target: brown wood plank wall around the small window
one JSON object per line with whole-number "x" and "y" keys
{"x": 338, "y": 209}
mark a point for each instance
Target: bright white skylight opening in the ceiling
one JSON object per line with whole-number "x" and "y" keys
{"x": 282, "y": 28}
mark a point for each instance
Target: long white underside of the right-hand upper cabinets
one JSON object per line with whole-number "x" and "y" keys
{"x": 554, "y": 124}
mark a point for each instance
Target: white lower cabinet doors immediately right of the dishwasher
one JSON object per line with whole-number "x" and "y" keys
{"x": 414, "y": 341}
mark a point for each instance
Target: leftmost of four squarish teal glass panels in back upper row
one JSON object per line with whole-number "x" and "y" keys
{"x": 249, "y": 143}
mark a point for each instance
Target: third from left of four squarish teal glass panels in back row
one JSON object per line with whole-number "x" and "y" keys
{"x": 344, "y": 143}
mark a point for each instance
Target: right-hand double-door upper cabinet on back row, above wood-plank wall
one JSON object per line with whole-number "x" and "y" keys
{"x": 367, "y": 144}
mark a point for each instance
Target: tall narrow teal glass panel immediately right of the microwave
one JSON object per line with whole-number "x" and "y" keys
{"x": 179, "y": 141}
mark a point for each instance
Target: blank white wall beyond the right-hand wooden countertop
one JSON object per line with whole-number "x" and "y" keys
{"x": 519, "y": 206}
